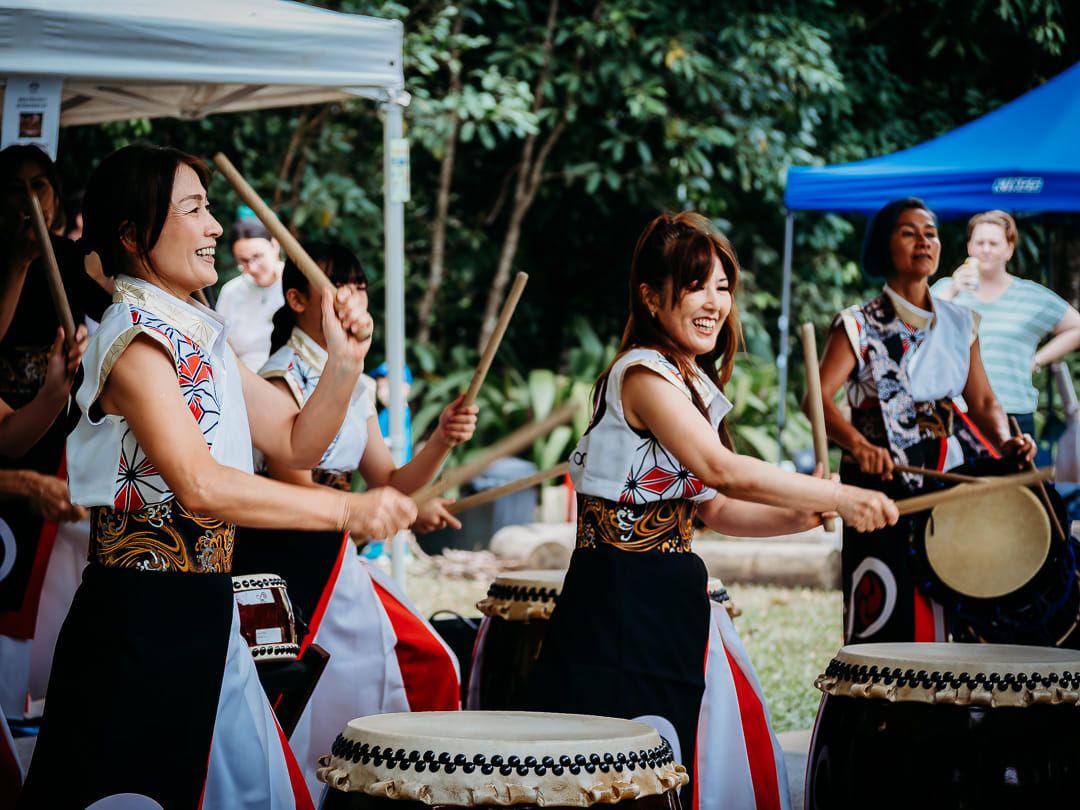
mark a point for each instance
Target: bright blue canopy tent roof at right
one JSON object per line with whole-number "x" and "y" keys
{"x": 1021, "y": 157}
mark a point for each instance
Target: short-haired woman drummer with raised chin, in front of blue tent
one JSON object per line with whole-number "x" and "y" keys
{"x": 902, "y": 358}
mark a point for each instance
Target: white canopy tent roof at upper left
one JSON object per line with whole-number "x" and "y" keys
{"x": 146, "y": 59}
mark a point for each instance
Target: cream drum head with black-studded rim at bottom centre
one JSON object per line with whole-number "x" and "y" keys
{"x": 476, "y": 759}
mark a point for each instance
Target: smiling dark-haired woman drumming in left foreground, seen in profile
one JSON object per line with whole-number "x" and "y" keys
{"x": 153, "y": 683}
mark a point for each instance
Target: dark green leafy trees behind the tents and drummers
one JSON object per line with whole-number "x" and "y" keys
{"x": 546, "y": 134}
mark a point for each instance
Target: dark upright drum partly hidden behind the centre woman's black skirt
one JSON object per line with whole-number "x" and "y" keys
{"x": 516, "y": 620}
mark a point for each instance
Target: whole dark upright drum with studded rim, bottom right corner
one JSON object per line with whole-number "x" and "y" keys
{"x": 947, "y": 726}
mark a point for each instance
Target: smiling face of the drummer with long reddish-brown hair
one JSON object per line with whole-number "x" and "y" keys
{"x": 694, "y": 321}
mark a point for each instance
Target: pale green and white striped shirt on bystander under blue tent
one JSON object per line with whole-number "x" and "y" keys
{"x": 1012, "y": 327}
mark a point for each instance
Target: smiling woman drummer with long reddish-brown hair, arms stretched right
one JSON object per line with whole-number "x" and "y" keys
{"x": 629, "y": 636}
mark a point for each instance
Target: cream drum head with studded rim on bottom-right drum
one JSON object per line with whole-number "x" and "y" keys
{"x": 965, "y": 674}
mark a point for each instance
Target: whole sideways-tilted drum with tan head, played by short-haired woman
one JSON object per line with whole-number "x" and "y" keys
{"x": 1001, "y": 584}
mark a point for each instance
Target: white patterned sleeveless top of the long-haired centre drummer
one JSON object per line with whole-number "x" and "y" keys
{"x": 617, "y": 463}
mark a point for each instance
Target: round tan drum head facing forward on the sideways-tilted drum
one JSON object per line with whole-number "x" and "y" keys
{"x": 990, "y": 546}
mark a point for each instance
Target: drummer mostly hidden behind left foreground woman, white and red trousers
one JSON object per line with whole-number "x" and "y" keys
{"x": 385, "y": 657}
